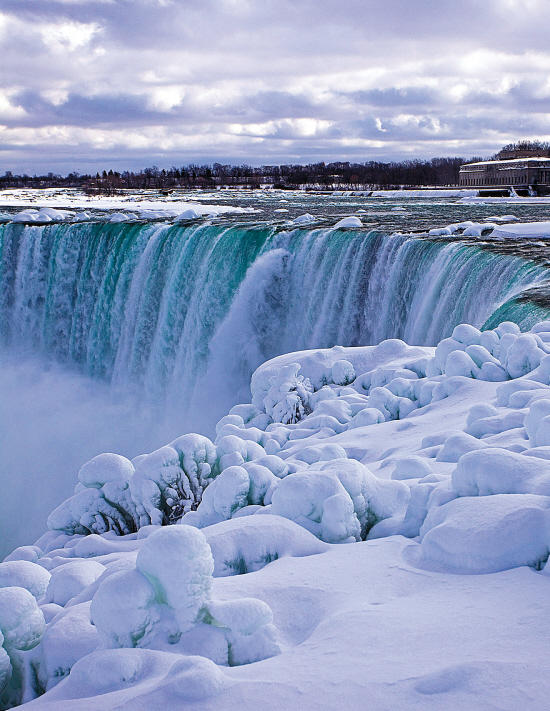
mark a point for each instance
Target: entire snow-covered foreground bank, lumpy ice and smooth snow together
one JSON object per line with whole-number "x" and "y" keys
{"x": 372, "y": 531}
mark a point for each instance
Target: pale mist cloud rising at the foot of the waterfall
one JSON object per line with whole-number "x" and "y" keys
{"x": 53, "y": 421}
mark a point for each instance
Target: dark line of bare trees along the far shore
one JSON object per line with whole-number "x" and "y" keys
{"x": 370, "y": 175}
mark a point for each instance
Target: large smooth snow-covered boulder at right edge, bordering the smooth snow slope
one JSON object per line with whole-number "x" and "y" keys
{"x": 485, "y": 535}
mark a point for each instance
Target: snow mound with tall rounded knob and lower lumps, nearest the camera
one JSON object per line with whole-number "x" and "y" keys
{"x": 165, "y": 600}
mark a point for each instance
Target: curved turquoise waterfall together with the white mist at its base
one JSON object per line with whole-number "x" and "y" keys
{"x": 121, "y": 336}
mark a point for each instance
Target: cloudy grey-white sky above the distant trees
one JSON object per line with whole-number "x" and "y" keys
{"x": 88, "y": 84}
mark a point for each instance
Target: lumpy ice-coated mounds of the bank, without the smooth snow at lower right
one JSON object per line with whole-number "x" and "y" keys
{"x": 448, "y": 447}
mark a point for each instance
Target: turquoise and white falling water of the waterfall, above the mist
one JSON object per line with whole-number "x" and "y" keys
{"x": 161, "y": 309}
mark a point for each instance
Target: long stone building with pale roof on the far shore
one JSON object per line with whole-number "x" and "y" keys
{"x": 523, "y": 167}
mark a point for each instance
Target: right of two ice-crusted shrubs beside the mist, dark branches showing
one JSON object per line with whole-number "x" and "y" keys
{"x": 170, "y": 481}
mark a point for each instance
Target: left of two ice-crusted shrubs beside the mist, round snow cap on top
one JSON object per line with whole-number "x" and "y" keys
{"x": 102, "y": 500}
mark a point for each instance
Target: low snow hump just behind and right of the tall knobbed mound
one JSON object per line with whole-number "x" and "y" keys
{"x": 244, "y": 545}
